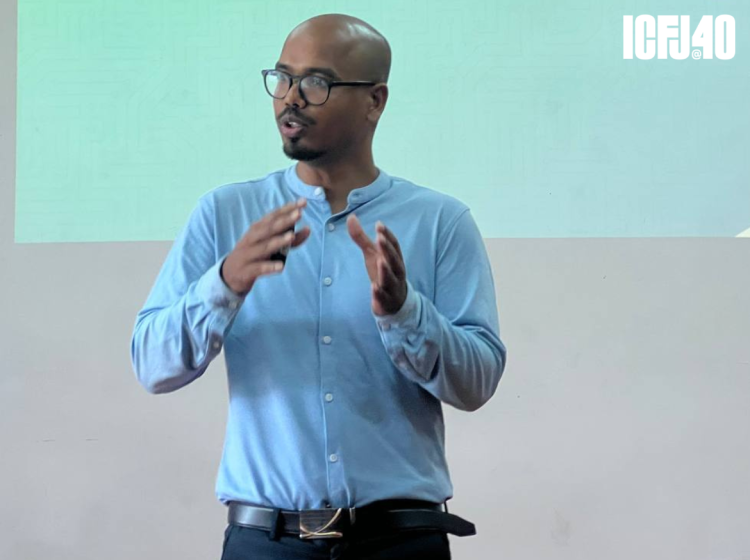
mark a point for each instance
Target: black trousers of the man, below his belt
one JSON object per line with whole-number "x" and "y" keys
{"x": 246, "y": 543}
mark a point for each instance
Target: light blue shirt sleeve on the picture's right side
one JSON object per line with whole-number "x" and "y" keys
{"x": 451, "y": 346}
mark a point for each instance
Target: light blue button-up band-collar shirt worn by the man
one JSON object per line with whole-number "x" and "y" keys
{"x": 329, "y": 404}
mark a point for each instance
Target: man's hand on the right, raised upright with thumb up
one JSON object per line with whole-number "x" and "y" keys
{"x": 385, "y": 266}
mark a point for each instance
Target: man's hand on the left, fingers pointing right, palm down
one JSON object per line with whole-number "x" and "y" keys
{"x": 250, "y": 257}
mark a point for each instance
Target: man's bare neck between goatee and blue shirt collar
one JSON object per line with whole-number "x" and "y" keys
{"x": 339, "y": 178}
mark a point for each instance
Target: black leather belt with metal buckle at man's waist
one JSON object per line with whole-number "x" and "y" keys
{"x": 329, "y": 523}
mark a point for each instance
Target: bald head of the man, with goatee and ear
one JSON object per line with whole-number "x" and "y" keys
{"x": 344, "y": 125}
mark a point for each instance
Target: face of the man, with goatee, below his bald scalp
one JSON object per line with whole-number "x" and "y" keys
{"x": 330, "y": 130}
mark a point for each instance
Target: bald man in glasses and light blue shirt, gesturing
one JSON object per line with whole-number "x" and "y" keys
{"x": 340, "y": 350}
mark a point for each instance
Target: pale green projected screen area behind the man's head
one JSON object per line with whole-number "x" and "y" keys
{"x": 526, "y": 111}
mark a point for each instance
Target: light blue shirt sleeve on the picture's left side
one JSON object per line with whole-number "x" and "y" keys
{"x": 182, "y": 324}
